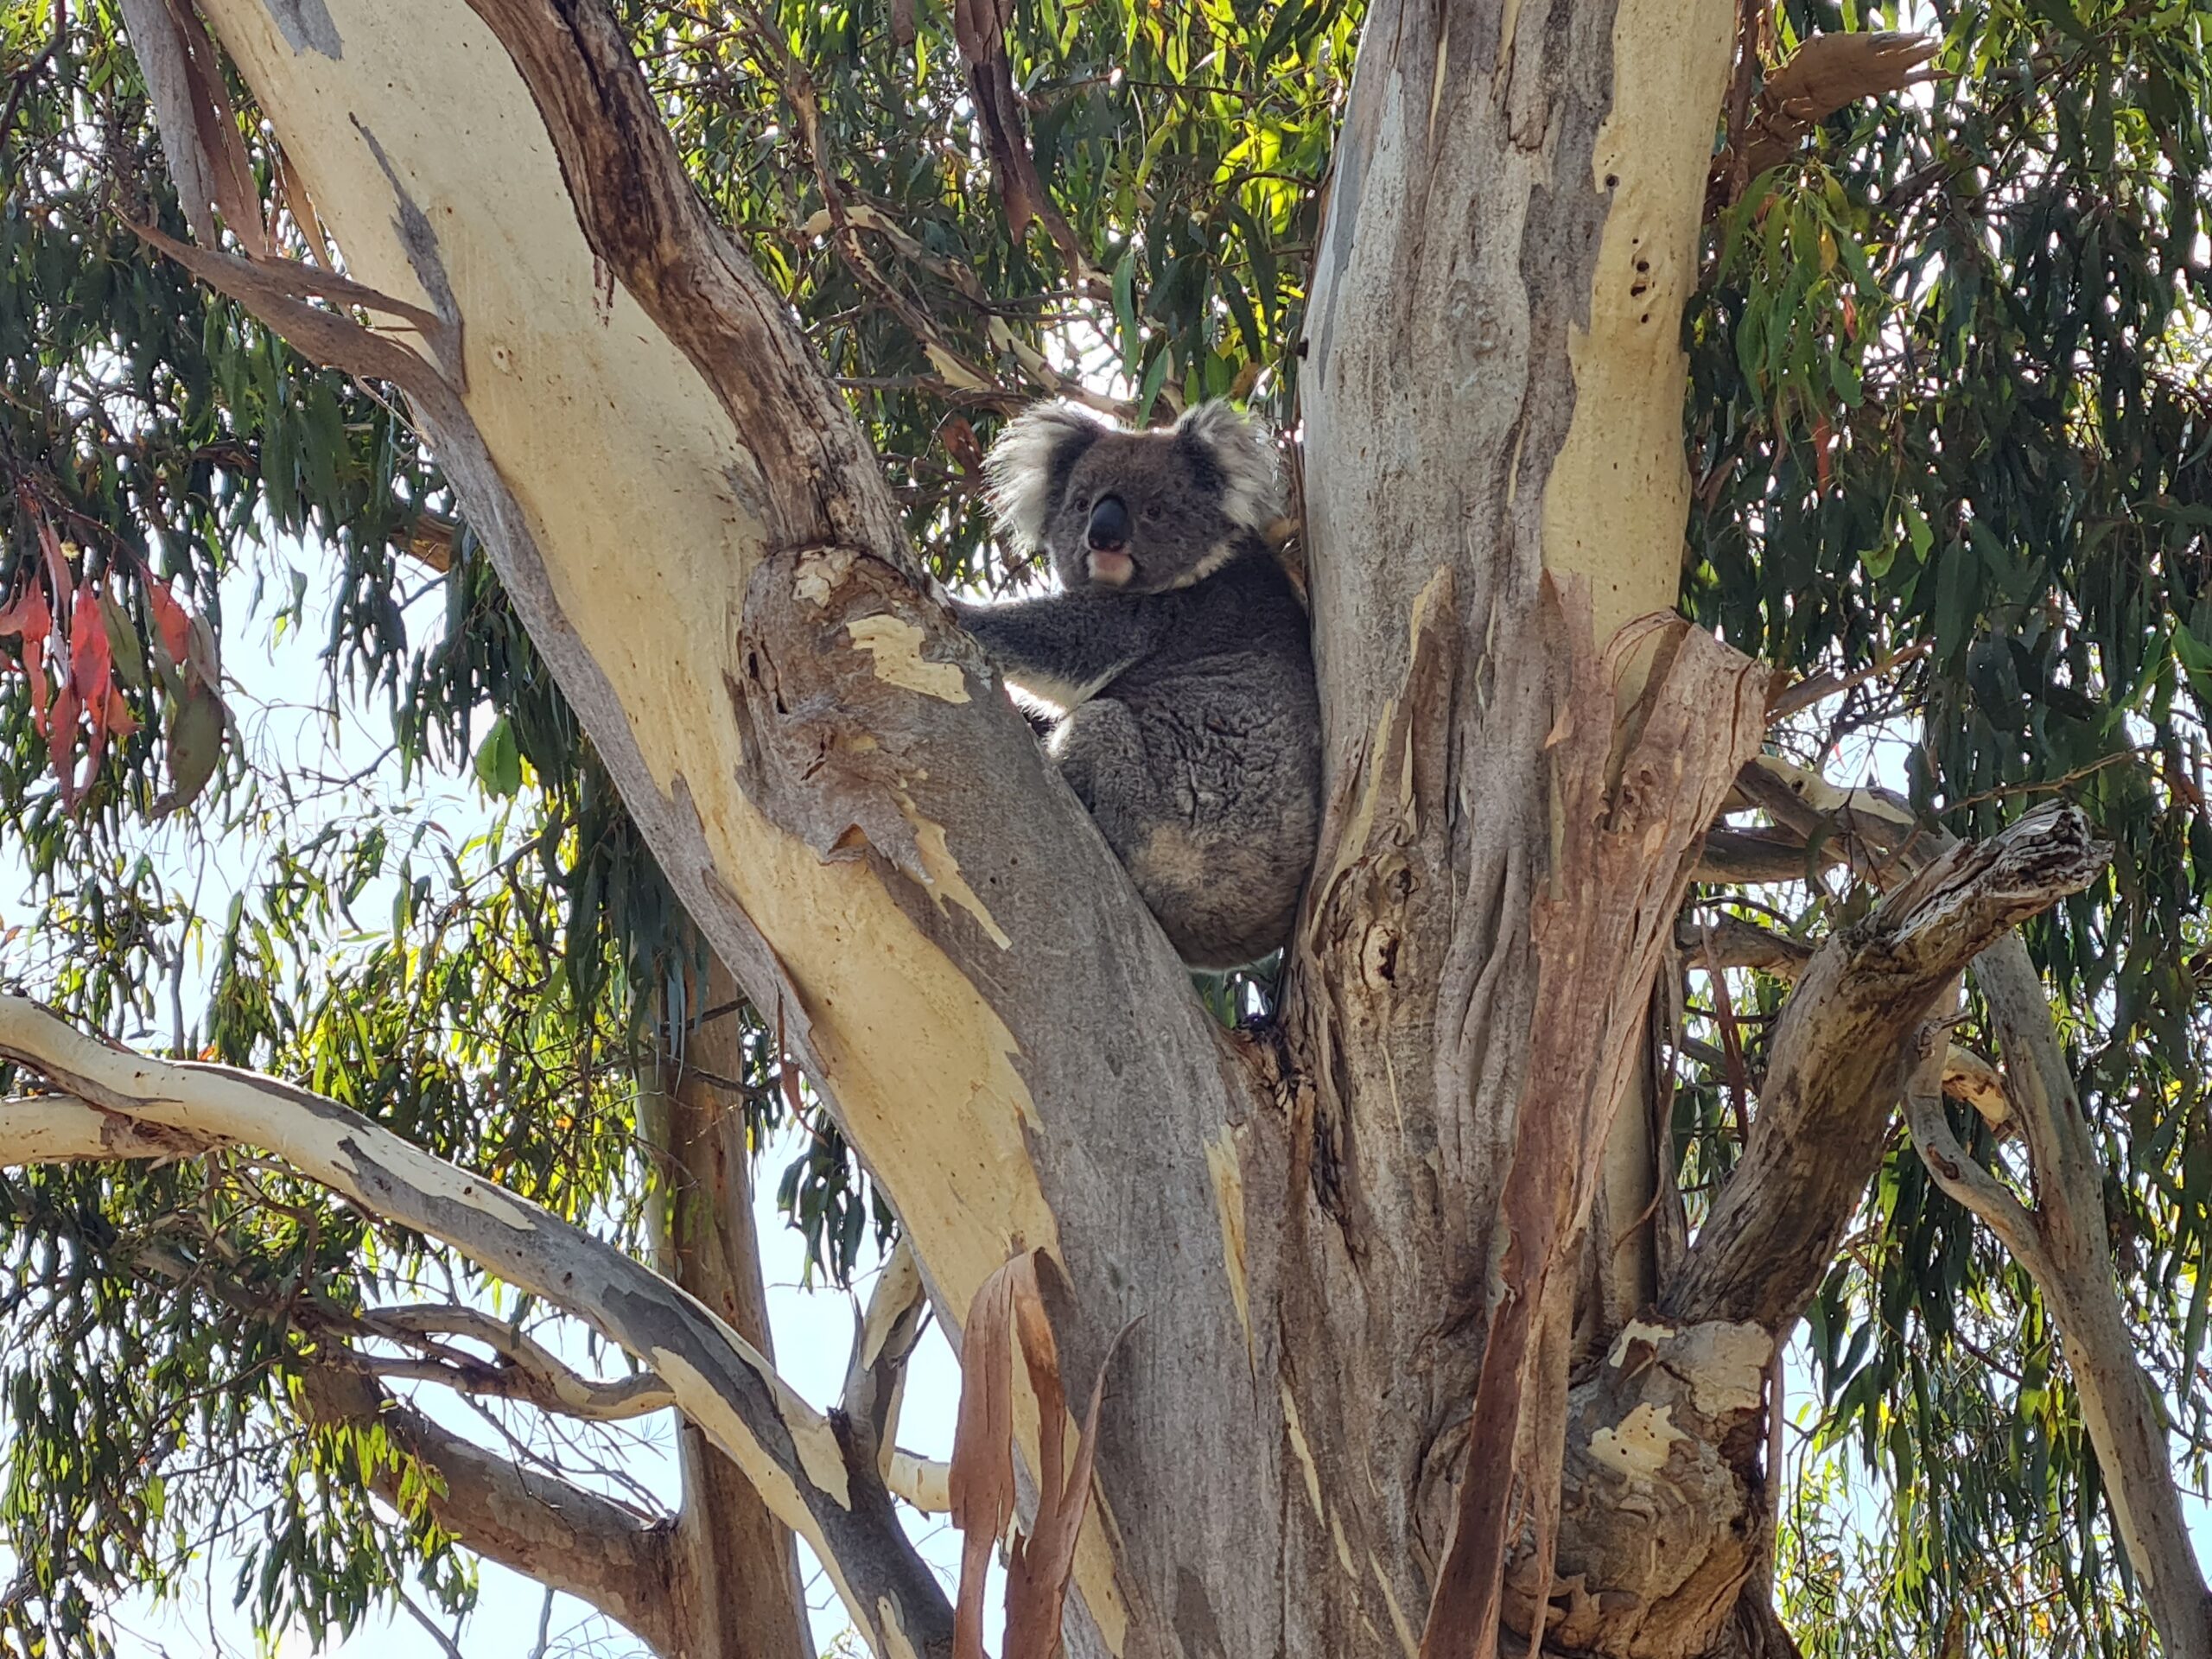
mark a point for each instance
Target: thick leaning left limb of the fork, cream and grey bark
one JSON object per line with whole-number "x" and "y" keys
{"x": 959, "y": 961}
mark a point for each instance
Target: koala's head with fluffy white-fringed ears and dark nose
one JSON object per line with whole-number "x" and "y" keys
{"x": 1134, "y": 510}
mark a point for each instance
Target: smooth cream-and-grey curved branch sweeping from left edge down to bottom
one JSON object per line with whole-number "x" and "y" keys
{"x": 789, "y": 1450}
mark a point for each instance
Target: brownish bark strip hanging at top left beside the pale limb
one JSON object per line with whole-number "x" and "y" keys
{"x": 200, "y": 132}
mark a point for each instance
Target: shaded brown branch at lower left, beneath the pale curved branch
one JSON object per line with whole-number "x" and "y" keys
{"x": 552, "y": 1532}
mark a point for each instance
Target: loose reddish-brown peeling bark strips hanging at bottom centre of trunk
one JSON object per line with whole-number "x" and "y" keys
{"x": 1008, "y": 1313}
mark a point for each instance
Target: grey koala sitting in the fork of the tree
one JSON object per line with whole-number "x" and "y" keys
{"x": 1178, "y": 658}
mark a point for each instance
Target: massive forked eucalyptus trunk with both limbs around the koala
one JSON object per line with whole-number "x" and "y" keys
{"x": 1348, "y": 1419}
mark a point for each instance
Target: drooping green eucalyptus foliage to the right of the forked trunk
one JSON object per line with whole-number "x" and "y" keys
{"x": 1950, "y": 397}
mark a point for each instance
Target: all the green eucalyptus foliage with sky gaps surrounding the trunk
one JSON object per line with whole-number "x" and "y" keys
{"x": 1948, "y": 417}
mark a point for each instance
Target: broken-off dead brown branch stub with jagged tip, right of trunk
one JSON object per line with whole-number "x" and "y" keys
{"x": 1835, "y": 1076}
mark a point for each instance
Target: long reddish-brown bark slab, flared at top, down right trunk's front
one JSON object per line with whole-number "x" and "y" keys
{"x": 1634, "y": 800}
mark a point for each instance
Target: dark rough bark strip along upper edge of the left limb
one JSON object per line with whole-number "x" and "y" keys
{"x": 643, "y": 216}
